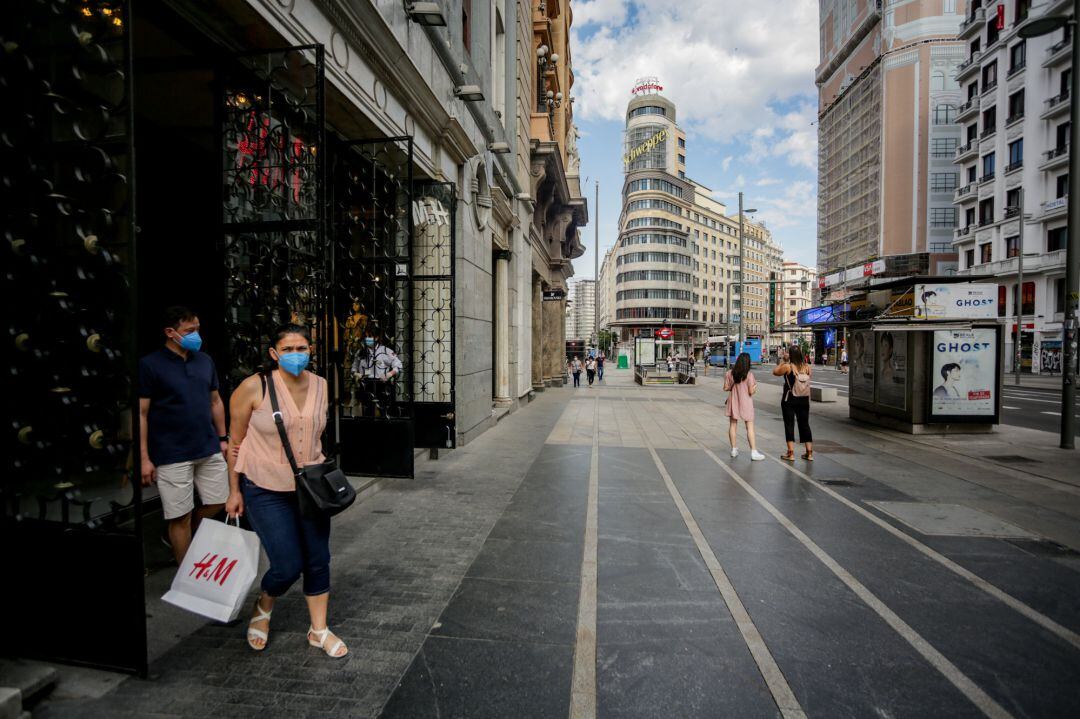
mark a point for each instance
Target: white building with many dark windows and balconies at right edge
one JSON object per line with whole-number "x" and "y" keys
{"x": 1016, "y": 159}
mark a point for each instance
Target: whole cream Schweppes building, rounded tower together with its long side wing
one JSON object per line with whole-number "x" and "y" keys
{"x": 677, "y": 259}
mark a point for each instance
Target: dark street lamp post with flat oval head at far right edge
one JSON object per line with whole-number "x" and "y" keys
{"x": 1033, "y": 30}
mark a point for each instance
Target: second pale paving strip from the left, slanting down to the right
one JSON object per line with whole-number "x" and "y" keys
{"x": 767, "y": 666}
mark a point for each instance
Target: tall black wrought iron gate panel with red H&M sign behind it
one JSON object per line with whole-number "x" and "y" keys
{"x": 272, "y": 107}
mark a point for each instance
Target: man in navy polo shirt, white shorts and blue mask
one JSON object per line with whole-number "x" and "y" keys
{"x": 182, "y": 428}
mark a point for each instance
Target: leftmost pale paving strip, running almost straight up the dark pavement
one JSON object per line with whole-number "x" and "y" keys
{"x": 584, "y": 685}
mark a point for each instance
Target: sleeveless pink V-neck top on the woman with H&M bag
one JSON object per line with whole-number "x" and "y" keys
{"x": 262, "y": 457}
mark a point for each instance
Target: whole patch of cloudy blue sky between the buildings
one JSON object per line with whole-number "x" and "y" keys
{"x": 744, "y": 86}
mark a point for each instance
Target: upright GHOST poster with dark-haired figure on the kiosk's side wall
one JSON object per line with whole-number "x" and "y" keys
{"x": 964, "y": 373}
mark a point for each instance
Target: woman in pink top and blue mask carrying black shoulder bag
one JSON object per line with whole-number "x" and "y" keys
{"x": 262, "y": 484}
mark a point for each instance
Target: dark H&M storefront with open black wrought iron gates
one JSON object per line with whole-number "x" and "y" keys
{"x": 150, "y": 161}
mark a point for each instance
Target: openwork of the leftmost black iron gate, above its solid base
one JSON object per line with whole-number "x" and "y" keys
{"x": 66, "y": 160}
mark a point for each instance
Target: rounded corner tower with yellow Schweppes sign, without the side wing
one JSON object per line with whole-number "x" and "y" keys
{"x": 654, "y": 264}
